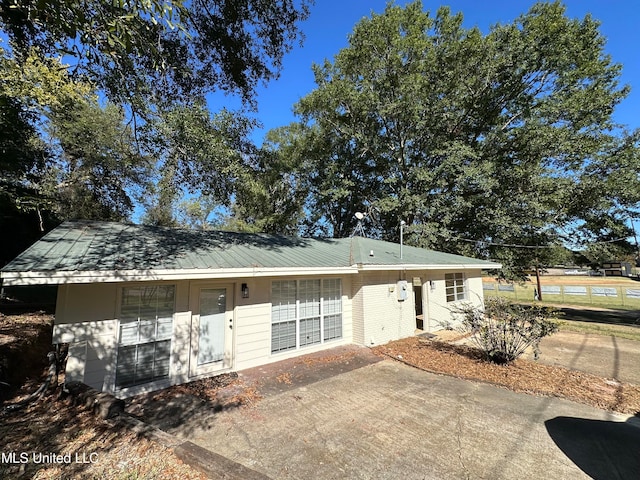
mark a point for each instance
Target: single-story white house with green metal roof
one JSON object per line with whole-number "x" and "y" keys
{"x": 145, "y": 307}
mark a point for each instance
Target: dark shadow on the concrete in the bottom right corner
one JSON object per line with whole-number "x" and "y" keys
{"x": 601, "y": 449}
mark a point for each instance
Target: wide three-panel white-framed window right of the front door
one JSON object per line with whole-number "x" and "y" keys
{"x": 305, "y": 312}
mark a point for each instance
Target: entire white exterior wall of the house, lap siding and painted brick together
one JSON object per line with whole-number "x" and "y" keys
{"x": 86, "y": 318}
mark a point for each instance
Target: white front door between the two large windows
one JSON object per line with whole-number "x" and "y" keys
{"x": 211, "y": 328}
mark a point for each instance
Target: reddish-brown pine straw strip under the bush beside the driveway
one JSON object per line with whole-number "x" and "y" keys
{"x": 519, "y": 376}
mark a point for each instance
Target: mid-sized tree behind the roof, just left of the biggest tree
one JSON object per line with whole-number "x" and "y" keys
{"x": 197, "y": 154}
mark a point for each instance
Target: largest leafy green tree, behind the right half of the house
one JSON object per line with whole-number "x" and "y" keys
{"x": 476, "y": 141}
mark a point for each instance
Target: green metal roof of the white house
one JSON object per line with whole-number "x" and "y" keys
{"x": 155, "y": 252}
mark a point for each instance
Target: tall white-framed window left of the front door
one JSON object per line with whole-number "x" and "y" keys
{"x": 146, "y": 328}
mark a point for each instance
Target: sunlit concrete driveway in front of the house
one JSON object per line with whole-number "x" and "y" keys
{"x": 387, "y": 420}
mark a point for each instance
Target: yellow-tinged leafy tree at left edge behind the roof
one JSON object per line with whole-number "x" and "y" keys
{"x": 65, "y": 154}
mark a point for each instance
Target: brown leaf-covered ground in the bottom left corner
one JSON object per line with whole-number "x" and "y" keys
{"x": 54, "y": 426}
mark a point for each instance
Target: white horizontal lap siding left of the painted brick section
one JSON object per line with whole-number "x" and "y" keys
{"x": 87, "y": 319}
